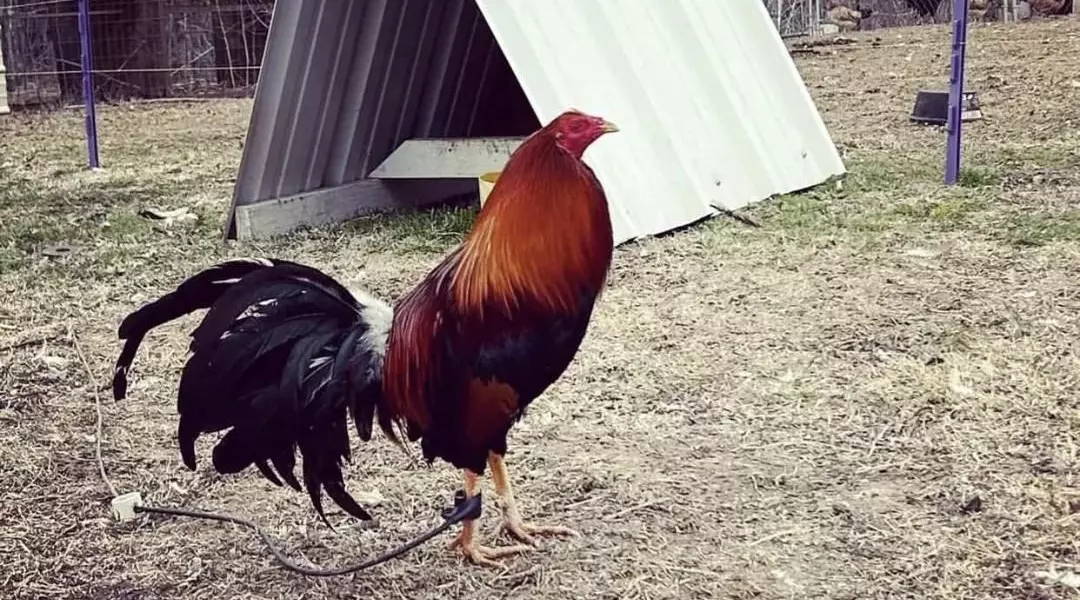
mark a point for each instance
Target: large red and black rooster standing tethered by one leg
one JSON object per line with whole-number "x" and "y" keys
{"x": 286, "y": 356}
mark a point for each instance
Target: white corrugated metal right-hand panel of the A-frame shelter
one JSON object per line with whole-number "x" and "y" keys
{"x": 711, "y": 107}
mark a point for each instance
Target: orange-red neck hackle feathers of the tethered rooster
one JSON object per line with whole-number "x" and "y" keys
{"x": 544, "y": 239}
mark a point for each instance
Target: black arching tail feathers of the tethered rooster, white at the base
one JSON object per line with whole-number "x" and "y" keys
{"x": 282, "y": 359}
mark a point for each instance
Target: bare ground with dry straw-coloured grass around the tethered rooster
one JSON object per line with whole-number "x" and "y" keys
{"x": 874, "y": 396}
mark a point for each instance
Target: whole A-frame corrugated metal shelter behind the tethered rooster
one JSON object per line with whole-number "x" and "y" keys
{"x": 370, "y": 105}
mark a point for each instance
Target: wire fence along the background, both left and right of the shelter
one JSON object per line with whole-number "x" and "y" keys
{"x": 169, "y": 49}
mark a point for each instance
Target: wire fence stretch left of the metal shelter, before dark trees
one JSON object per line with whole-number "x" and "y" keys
{"x": 141, "y": 49}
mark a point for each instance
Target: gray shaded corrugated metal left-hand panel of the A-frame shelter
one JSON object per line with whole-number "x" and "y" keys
{"x": 344, "y": 84}
